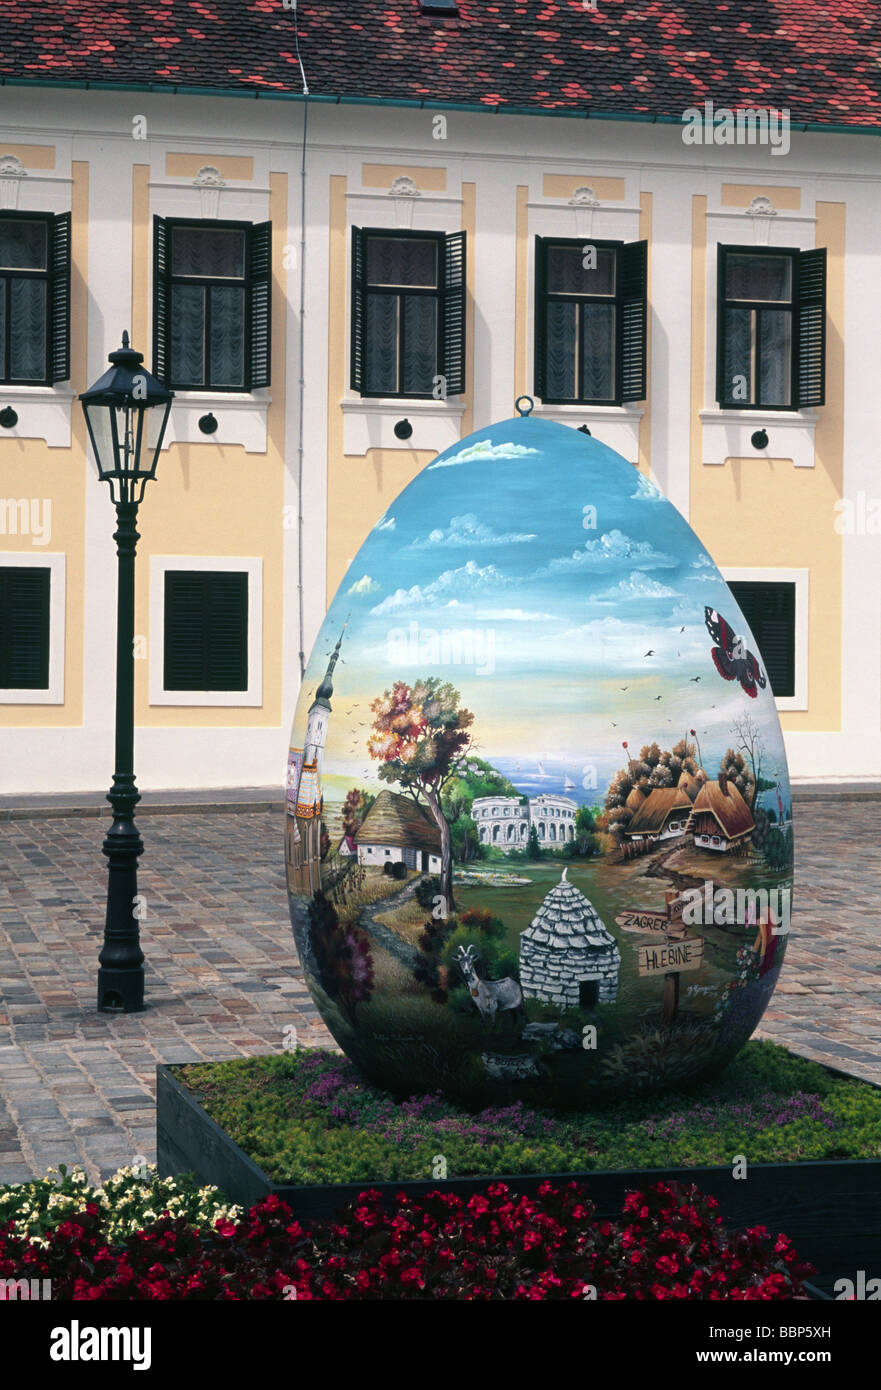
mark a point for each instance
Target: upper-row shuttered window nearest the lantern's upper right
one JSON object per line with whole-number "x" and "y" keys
{"x": 212, "y": 305}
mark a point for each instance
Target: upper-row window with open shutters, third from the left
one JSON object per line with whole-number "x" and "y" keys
{"x": 408, "y": 313}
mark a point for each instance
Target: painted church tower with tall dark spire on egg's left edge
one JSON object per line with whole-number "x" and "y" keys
{"x": 305, "y": 797}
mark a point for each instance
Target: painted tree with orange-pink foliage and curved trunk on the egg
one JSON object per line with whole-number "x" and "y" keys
{"x": 420, "y": 736}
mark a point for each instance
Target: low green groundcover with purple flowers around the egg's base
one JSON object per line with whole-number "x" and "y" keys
{"x": 308, "y": 1117}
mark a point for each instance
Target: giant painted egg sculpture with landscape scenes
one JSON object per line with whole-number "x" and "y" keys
{"x": 538, "y": 821}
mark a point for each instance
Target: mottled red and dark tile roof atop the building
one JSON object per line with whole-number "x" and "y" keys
{"x": 821, "y": 60}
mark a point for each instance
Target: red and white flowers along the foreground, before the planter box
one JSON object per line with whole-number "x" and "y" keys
{"x": 669, "y": 1243}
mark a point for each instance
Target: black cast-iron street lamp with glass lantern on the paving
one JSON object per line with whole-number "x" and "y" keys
{"x": 127, "y": 414}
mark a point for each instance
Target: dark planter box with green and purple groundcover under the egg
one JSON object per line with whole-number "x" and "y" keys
{"x": 326, "y": 1135}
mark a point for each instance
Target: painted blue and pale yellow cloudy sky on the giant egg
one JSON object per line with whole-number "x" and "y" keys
{"x": 536, "y": 569}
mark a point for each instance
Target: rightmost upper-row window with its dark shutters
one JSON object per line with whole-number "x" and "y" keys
{"x": 772, "y": 329}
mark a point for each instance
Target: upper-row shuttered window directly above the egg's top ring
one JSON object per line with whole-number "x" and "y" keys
{"x": 590, "y": 322}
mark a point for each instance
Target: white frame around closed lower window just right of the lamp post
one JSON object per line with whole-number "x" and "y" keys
{"x": 248, "y": 565}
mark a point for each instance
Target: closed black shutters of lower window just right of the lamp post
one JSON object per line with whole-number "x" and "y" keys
{"x": 206, "y": 630}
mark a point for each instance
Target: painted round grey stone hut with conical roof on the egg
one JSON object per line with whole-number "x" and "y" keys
{"x": 566, "y": 954}
